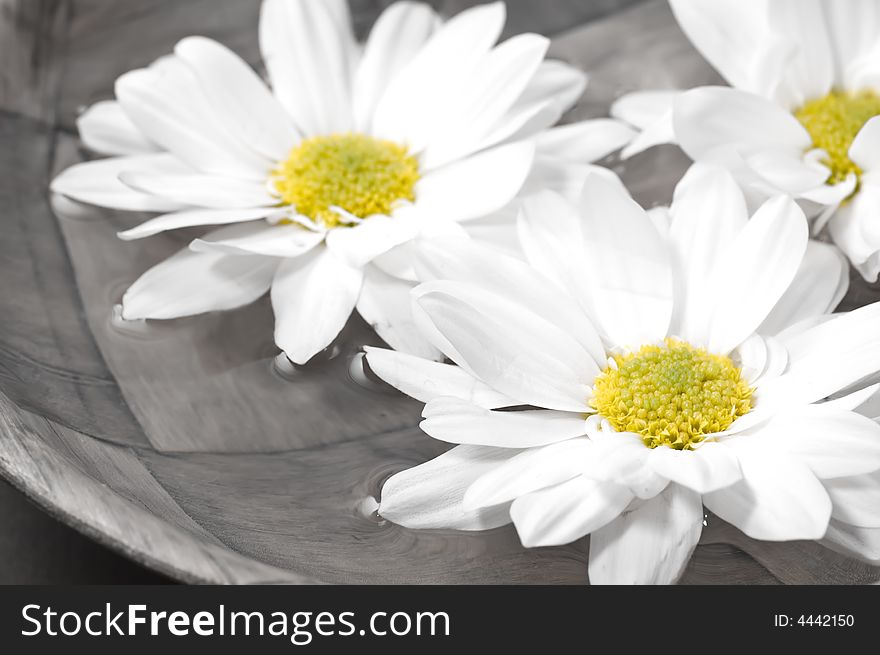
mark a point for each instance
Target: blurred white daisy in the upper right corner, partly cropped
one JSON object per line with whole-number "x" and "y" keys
{"x": 801, "y": 116}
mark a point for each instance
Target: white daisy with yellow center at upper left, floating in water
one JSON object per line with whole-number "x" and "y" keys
{"x": 323, "y": 180}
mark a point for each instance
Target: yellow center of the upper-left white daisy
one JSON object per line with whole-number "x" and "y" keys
{"x": 356, "y": 173}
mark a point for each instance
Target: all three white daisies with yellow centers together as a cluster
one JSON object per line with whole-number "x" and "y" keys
{"x": 600, "y": 369}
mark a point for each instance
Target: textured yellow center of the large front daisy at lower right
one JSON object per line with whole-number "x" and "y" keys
{"x": 672, "y": 394}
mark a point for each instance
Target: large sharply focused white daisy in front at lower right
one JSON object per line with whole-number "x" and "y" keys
{"x": 642, "y": 368}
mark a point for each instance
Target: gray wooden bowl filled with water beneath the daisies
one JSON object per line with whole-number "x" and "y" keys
{"x": 186, "y": 445}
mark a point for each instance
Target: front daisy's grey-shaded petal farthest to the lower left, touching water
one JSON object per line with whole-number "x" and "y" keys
{"x": 430, "y": 495}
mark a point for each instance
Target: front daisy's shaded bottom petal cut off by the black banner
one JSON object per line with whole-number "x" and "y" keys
{"x": 650, "y": 544}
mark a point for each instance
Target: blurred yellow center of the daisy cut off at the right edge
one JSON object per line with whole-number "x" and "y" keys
{"x": 833, "y": 122}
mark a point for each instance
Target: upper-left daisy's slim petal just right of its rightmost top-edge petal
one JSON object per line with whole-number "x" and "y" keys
{"x": 490, "y": 91}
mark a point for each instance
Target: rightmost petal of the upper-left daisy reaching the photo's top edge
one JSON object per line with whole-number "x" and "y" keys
{"x": 417, "y": 97}
